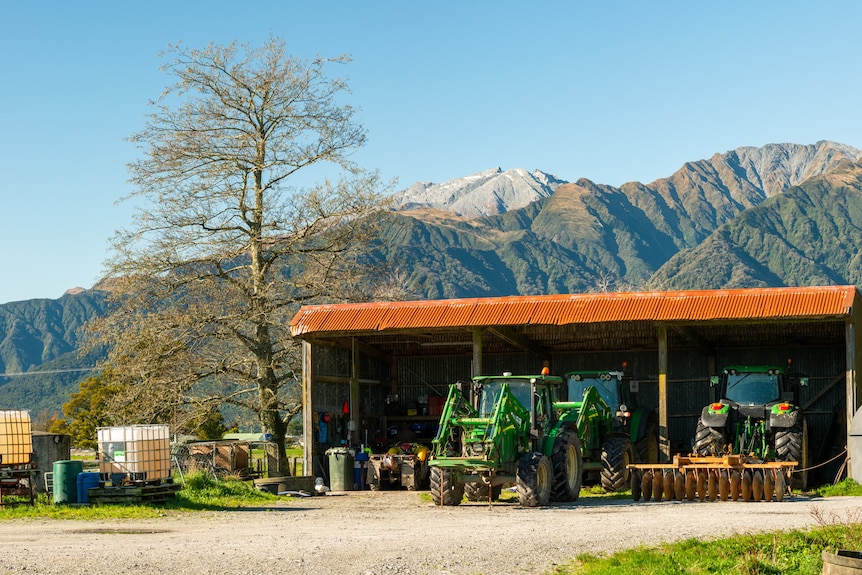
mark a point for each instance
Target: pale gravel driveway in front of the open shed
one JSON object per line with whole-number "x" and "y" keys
{"x": 386, "y": 533}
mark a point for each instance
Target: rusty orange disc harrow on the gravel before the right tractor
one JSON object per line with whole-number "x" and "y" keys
{"x": 730, "y": 477}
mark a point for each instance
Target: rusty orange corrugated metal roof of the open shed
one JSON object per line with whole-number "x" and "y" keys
{"x": 796, "y": 303}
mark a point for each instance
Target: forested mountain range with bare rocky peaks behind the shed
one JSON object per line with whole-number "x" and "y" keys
{"x": 776, "y": 215}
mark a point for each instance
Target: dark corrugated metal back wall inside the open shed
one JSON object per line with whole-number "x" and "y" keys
{"x": 688, "y": 383}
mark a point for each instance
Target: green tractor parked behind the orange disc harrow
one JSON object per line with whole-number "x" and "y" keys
{"x": 757, "y": 415}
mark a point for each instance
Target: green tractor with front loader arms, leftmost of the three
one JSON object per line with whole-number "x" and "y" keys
{"x": 503, "y": 430}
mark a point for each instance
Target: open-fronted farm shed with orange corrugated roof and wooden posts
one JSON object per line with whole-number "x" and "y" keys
{"x": 371, "y": 370}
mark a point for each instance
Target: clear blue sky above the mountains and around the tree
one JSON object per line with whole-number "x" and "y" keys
{"x": 611, "y": 91}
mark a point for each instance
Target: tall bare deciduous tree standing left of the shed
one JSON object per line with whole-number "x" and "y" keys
{"x": 223, "y": 249}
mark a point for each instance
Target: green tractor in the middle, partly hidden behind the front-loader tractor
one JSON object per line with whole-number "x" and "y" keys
{"x": 613, "y": 432}
